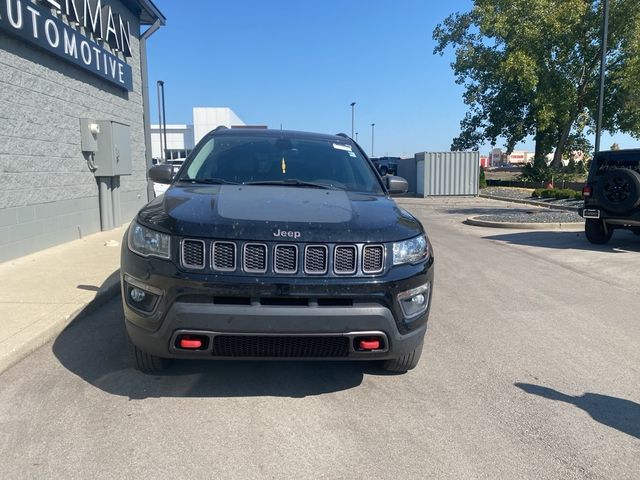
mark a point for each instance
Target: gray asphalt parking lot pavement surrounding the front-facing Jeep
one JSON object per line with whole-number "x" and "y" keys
{"x": 531, "y": 369}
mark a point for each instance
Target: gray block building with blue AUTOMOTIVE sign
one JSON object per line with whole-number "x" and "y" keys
{"x": 75, "y": 137}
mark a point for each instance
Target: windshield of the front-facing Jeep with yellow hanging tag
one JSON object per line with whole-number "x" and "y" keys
{"x": 281, "y": 161}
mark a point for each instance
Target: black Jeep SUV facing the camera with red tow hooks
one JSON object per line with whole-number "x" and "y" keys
{"x": 274, "y": 244}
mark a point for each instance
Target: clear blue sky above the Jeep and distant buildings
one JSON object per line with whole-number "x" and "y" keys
{"x": 301, "y": 63}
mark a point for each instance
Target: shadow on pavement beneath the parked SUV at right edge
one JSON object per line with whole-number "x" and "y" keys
{"x": 622, "y": 241}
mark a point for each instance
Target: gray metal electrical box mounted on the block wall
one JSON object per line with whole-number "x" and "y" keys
{"x": 113, "y": 156}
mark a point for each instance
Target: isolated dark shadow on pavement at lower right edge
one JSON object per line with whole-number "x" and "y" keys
{"x": 623, "y": 415}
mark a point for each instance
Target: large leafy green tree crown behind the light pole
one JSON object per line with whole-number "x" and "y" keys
{"x": 531, "y": 68}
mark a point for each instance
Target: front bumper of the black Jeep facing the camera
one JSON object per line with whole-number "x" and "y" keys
{"x": 228, "y": 305}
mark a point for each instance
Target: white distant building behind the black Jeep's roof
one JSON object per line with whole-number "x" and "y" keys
{"x": 181, "y": 139}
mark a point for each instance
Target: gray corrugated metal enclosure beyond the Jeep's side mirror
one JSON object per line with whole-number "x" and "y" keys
{"x": 447, "y": 173}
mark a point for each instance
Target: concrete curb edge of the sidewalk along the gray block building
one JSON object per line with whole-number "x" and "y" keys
{"x": 107, "y": 291}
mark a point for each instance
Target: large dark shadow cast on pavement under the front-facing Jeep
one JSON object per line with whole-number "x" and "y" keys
{"x": 94, "y": 348}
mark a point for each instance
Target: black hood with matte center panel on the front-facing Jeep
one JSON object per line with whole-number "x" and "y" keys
{"x": 253, "y": 212}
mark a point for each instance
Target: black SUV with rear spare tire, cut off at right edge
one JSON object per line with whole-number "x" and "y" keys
{"x": 612, "y": 195}
